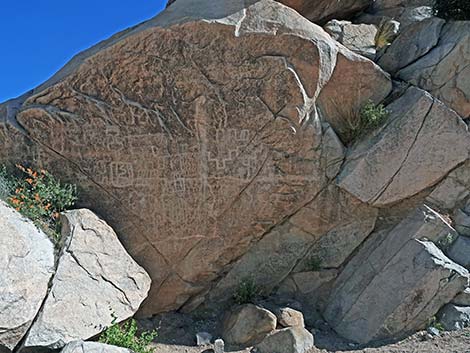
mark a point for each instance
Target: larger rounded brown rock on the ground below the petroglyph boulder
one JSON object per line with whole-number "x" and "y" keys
{"x": 247, "y": 325}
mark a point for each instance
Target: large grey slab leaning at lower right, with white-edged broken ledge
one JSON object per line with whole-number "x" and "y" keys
{"x": 396, "y": 282}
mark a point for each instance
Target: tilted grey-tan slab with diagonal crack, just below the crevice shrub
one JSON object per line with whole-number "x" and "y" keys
{"x": 422, "y": 141}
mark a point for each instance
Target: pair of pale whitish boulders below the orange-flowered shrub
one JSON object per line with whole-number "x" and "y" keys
{"x": 50, "y": 298}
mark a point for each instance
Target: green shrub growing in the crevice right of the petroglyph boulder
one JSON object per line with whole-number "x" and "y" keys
{"x": 370, "y": 117}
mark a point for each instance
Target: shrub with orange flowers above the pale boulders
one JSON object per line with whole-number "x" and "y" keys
{"x": 37, "y": 195}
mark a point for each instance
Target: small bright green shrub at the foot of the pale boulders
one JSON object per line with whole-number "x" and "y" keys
{"x": 125, "y": 336}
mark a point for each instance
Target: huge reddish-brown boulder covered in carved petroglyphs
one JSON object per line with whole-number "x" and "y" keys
{"x": 195, "y": 133}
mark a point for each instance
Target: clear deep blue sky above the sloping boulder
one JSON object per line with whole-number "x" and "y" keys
{"x": 38, "y": 37}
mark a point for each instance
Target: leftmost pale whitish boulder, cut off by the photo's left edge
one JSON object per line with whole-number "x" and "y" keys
{"x": 26, "y": 266}
